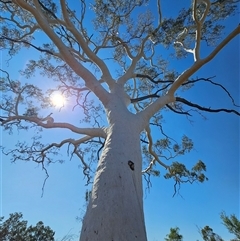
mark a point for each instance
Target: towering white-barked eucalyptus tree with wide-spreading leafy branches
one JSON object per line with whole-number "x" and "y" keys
{"x": 105, "y": 56}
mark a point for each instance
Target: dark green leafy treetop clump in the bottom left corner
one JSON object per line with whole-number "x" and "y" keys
{"x": 16, "y": 229}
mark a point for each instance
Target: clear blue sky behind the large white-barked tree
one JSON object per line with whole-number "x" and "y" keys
{"x": 216, "y": 142}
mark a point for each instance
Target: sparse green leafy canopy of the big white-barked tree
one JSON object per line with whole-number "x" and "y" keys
{"x": 126, "y": 35}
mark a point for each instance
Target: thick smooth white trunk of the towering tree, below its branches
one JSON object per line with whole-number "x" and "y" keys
{"x": 115, "y": 209}
